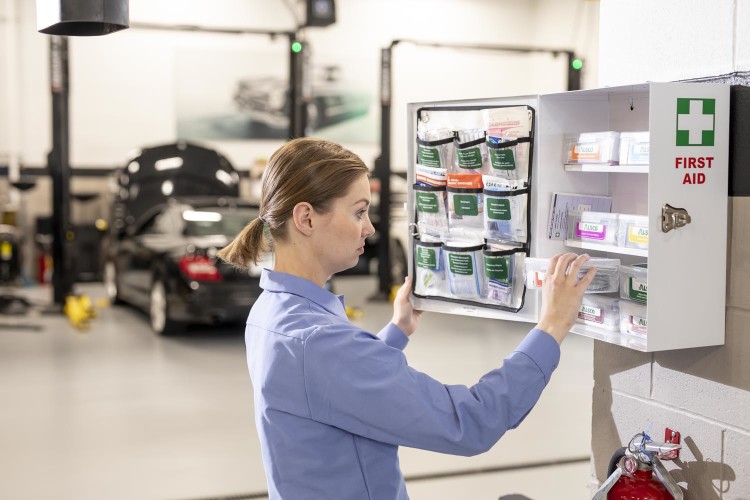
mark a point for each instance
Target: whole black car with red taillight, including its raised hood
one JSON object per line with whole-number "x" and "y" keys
{"x": 173, "y": 207}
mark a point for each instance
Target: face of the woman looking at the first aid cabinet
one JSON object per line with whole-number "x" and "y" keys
{"x": 341, "y": 238}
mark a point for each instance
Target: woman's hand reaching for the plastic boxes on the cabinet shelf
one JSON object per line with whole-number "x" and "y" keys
{"x": 562, "y": 294}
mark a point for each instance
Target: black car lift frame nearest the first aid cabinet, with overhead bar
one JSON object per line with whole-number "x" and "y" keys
{"x": 382, "y": 169}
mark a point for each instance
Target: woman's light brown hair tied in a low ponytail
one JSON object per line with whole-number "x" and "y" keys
{"x": 303, "y": 170}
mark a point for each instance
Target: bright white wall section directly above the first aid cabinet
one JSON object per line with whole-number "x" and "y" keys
{"x": 672, "y": 39}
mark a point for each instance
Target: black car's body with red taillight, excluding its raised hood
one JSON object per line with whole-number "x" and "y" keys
{"x": 166, "y": 265}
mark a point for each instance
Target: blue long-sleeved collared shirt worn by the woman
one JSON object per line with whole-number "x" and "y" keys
{"x": 333, "y": 402}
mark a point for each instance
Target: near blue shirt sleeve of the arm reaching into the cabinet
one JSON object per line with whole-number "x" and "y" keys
{"x": 356, "y": 382}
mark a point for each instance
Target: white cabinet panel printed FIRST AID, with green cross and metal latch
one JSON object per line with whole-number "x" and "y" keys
{"x": 689, "y": 125}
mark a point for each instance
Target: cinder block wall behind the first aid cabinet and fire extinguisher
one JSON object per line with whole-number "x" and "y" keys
{"x": 703, "y": 393}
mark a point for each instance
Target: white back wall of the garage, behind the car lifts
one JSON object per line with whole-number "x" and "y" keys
{"x": 123, "y": 85}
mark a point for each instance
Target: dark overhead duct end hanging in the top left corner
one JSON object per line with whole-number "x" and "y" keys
{"x": 81, "y": 17}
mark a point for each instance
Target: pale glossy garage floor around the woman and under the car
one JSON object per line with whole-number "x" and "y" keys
{"x": 118, "y": 413}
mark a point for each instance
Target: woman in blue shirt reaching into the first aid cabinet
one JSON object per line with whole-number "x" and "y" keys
{"x": 332, "y": 401}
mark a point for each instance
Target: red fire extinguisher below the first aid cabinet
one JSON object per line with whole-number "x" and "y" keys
{"x": 636, "y": 472}
